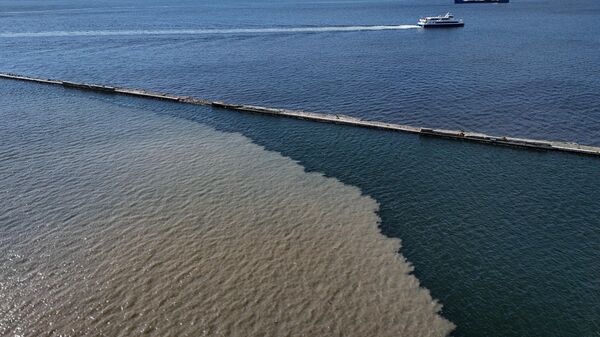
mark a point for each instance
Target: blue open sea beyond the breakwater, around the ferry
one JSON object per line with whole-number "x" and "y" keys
{"x": 523, "y": 69}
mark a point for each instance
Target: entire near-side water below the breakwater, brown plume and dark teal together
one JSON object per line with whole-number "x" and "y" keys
{"x": 128, "y": 215}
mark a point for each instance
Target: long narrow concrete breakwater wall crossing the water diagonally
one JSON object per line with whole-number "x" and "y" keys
{"x": 327, "y": 118}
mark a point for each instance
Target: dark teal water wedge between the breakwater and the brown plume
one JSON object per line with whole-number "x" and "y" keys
{"x": 505, "y": 238}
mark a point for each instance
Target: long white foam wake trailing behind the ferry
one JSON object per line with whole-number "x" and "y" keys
{"x": 204, "y": 31}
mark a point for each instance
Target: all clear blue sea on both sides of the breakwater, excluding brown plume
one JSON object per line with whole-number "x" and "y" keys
{"x": 506, "y": 239}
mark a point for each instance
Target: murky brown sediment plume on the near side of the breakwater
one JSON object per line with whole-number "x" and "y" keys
{"x": 121, "y": 222}
